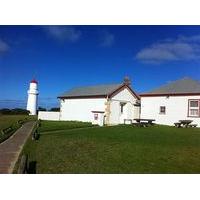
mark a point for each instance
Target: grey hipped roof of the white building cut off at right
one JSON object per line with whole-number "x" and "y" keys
{"x": 183, "y": 86}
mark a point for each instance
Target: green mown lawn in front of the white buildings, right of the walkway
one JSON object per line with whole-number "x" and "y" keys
{"x": 119, "y": 149}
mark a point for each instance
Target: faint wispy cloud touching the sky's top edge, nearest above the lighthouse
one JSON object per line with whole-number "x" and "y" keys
{"x": 64, "y": 33}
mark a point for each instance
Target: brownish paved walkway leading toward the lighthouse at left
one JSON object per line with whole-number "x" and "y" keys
{"x": 11, "y": 148}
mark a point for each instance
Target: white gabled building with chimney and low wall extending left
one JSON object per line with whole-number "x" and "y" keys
{"x": 102, "y": 104}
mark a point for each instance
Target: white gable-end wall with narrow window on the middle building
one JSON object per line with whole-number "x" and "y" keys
{"x": 129, "y": 109}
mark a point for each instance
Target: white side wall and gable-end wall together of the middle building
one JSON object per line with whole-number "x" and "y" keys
{"x": 81, "y": 109}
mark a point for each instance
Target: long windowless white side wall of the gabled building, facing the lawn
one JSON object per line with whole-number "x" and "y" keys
{"x": 81, "y": 109}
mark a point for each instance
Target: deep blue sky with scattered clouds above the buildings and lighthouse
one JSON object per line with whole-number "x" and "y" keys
{"x": 63, "y": 57}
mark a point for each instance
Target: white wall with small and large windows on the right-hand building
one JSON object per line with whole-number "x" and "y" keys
{"x": 176, "y": 109}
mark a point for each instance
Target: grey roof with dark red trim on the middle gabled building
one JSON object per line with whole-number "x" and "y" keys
{"x": 94, "y": 91}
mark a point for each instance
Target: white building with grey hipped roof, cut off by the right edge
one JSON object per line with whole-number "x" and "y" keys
{"x": 178, "y": 100}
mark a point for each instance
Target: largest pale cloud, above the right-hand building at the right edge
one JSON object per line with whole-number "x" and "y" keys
{"x": 181, "y": 48}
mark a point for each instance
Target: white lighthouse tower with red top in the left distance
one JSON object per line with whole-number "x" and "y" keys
{"x": 32, "y": 97}
